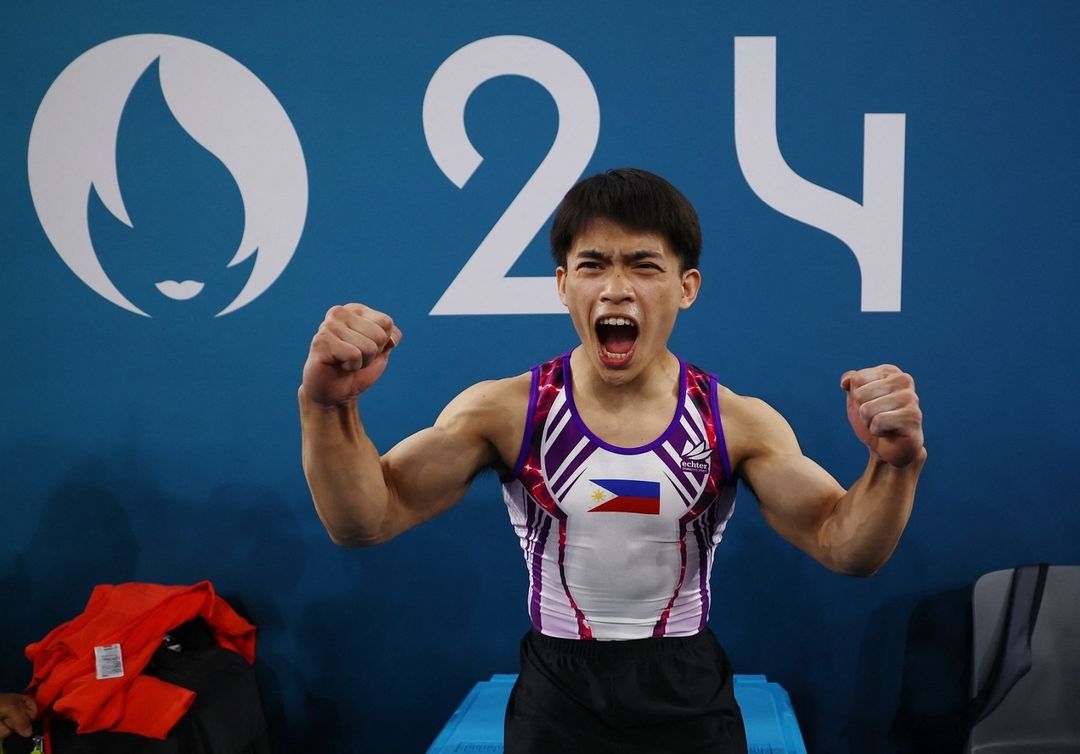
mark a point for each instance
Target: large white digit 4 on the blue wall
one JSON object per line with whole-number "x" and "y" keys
{"x": 872, "y": 231}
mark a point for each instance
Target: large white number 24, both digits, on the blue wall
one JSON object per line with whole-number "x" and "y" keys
{"x": 873, "y": 231}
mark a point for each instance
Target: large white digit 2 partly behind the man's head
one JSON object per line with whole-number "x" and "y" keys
{"x": 482, "y": 287}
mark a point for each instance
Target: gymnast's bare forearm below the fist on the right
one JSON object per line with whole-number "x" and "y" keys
{"x": 866, "y": 527}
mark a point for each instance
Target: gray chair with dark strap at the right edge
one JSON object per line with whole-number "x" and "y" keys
{"x": 1042, "y": 713}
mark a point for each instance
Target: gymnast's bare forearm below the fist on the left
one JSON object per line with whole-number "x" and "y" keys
{"x": 344, "y": 473}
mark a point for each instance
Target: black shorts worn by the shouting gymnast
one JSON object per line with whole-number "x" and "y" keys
{"x": 655, "y": 696}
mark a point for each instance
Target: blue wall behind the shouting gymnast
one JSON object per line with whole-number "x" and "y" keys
{"x": 167, "y": 448}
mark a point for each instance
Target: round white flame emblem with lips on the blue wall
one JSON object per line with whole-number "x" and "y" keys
{"x": 222, "y": 105}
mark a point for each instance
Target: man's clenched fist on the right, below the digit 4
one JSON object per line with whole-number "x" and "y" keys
{"x": 885, "y": 413}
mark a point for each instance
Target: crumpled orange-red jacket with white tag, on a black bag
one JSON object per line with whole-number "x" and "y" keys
{"x": 136, "y": 616}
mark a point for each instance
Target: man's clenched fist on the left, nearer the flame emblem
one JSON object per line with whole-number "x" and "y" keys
{"x": 348, "y": 354}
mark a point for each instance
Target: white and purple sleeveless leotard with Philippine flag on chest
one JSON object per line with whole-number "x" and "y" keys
{"x": 619, "y": 543}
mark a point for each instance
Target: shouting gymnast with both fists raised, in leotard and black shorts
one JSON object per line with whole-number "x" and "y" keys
{"x": 619, "y": 463}
